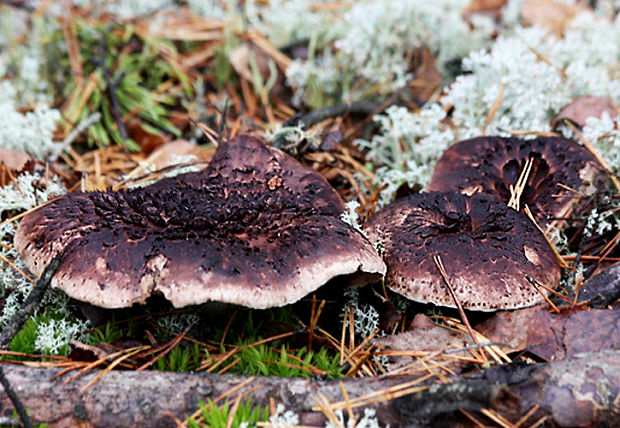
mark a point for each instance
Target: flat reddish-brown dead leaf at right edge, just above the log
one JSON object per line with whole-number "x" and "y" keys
{"x": 560, "y": 336}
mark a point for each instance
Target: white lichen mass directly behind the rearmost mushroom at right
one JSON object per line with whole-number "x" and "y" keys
{"x": 523, "y": 95}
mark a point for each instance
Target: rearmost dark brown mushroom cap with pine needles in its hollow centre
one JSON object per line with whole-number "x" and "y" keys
{"x": 492, "y": 164}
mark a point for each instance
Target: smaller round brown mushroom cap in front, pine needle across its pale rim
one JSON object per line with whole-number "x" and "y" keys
{"x": 487, "y": 249}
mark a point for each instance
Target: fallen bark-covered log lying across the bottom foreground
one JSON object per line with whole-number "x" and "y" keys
{"x": 582, "y": 390}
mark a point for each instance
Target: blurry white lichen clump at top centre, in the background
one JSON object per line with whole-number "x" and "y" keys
{"x": 370, "y": 57}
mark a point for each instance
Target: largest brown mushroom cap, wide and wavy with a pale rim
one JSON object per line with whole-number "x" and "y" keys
{"x": 255, "y": 228}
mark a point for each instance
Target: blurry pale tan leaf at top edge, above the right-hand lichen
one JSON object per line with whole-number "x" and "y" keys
{"x": 550, "y": 14}
